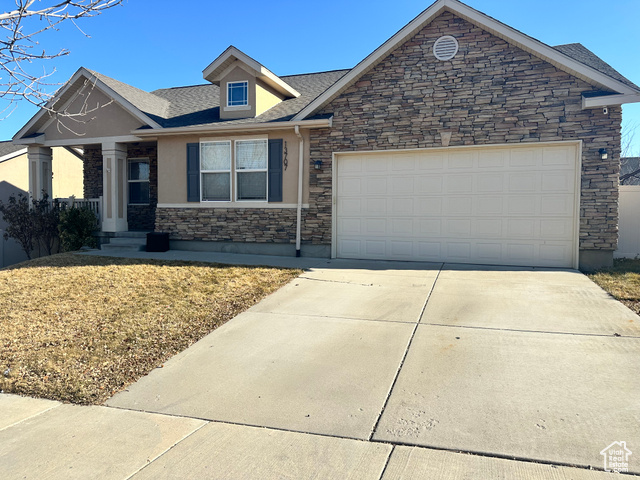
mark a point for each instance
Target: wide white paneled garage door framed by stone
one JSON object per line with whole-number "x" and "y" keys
{"x": 497, "y": 206}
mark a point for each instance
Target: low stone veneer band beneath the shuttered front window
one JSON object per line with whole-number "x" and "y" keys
{"x": 265, "y": 225}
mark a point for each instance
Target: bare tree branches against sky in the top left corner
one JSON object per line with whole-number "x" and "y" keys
{"x": 22, "y": 73}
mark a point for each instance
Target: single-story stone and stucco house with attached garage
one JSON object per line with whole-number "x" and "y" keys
{"x": 460, "y": 139}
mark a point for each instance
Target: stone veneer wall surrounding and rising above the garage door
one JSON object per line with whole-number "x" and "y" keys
{"x": 490, "y": 93}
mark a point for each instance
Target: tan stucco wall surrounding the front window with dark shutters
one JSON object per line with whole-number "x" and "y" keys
{"x": 172, "y": 166}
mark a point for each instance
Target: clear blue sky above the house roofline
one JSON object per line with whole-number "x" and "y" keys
{"x": 163, "y": 43}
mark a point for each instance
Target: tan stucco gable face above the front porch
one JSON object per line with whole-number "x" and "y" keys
{"x": 106, "y": 119}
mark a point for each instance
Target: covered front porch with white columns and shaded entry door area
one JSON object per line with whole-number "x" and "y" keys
{"x": 120, "y": 183}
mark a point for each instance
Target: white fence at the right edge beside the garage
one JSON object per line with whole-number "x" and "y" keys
{"x": 629, "y": 223}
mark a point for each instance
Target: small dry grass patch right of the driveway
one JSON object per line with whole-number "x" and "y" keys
{"x": 622, "y": 282}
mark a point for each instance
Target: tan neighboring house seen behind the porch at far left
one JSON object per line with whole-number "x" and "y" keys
{"x": 14, "y": 179}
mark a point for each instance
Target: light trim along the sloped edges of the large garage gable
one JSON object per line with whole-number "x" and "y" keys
{"x": 556, "y": 57}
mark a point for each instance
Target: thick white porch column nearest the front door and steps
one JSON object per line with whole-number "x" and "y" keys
{"x": 114, "y": 187}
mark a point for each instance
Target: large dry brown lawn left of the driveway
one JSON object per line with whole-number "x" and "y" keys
{"x": 80, "y": 328}
